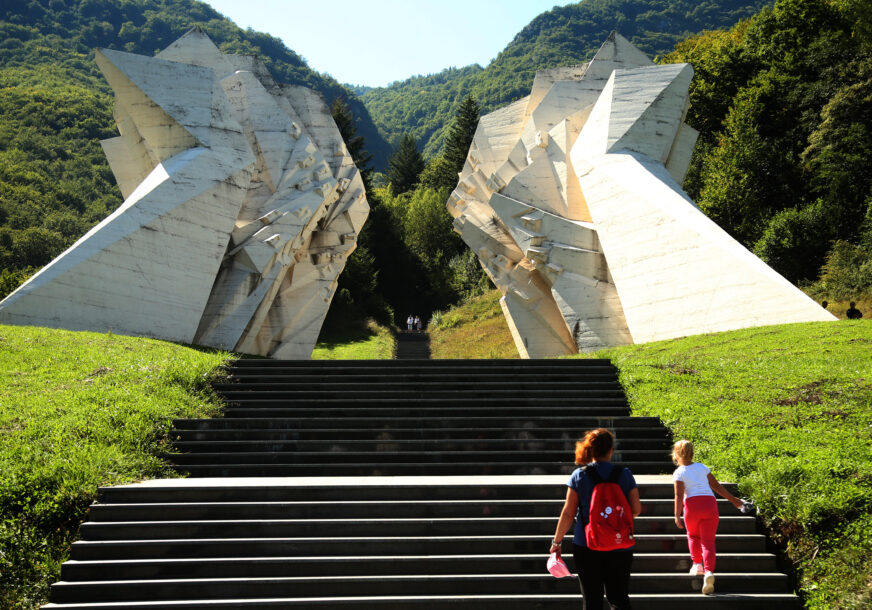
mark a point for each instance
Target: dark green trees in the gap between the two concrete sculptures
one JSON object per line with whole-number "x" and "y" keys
{"x": 409, "y": 260}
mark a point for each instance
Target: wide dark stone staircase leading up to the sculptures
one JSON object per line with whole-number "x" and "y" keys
{"x": 416, "y": 484}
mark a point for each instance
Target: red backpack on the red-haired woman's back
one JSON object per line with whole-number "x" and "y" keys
{"x": 610, "y": 521}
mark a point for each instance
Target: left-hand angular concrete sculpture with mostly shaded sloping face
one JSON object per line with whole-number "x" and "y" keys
{"x": 241, "y": 206}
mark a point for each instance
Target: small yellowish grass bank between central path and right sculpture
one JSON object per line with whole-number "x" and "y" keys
{"x": 476, "y": 329}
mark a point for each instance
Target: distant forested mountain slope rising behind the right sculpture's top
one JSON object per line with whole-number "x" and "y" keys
{"x": 424, "y": 105}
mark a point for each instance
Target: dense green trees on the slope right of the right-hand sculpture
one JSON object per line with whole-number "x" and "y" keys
{"x": 783, "y": 102}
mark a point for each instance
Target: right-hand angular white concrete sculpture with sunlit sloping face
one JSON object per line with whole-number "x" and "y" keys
{"x": 571, "y": 198}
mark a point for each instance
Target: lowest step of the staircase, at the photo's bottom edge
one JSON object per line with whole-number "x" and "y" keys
{"x": 562, "y": 601}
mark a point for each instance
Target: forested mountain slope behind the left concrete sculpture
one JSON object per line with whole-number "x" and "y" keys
{"x": 54, "y": 107}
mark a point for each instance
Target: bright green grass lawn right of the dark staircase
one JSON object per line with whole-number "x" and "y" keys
{"x": 785, "y": 411}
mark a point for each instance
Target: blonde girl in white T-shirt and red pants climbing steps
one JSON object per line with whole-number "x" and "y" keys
{"x": 693, "y": 484}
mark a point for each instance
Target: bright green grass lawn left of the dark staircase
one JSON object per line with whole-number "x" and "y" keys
{"x": 80, "y": 410}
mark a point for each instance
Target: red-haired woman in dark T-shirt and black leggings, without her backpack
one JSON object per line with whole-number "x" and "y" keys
{"x": 597, "y": 570}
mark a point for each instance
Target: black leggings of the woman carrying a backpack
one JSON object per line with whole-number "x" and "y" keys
{"x": 603, "y": 569}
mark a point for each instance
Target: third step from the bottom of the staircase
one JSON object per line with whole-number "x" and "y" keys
{"x": 318, "y": 565}
